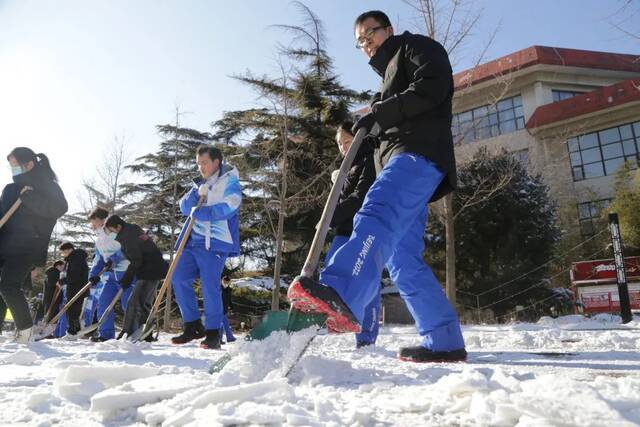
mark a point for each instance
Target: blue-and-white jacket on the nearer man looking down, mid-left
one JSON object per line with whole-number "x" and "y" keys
{"x": 216, "y": 224}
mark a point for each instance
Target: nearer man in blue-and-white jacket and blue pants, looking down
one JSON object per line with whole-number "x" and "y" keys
{"x": 215, "y": 236}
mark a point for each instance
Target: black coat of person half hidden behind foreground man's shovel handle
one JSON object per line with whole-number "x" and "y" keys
{"x": 359, "y": 179}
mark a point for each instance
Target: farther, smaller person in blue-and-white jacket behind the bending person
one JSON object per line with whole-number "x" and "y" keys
{"x": 112, "y": 263}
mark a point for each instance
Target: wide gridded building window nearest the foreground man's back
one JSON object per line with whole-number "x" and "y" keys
{"x": 505, "y": 116}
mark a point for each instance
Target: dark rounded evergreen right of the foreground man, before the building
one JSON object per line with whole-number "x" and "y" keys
{"x": 506, "y": 237}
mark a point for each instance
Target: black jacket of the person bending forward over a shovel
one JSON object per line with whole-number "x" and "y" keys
{"x": 145, "y": 259}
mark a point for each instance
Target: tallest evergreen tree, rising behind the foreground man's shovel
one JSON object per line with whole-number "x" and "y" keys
{"x": 303, "y": 107}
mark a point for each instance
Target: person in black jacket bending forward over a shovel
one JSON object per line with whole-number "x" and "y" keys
{"x": 146, "y": 266}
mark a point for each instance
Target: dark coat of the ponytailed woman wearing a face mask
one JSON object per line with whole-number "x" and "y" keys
{"x": 29, "y": 229}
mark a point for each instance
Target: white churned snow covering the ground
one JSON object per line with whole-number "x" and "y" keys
{"x": 569, "y": 371}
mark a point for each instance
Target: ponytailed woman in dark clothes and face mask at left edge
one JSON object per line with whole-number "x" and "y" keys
{"x": 24, "y": 238}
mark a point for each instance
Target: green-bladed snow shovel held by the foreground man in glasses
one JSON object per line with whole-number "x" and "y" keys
{"x": 296, "y": 320}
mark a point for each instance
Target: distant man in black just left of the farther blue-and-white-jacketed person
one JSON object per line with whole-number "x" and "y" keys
{"x": 76, "y": 277}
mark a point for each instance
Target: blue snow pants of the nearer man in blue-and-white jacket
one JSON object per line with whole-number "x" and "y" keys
{"x": 196, "y": 261}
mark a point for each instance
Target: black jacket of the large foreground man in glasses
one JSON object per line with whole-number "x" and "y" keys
{"x": 413, "y": 106}
